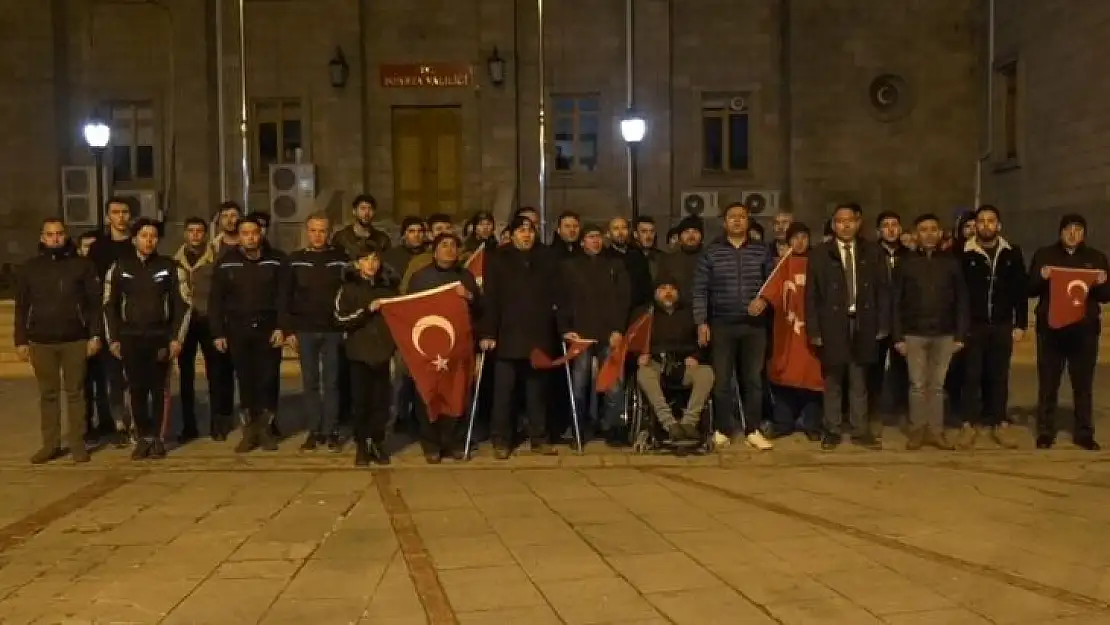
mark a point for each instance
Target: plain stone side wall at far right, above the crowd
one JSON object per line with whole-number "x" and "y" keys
{"x": 1064, "y": 128}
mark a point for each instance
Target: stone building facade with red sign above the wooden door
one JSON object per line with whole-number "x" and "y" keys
{"x": 815, "y": 100}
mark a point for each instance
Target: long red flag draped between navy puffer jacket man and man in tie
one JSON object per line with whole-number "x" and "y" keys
{"x": 793, "y": 362}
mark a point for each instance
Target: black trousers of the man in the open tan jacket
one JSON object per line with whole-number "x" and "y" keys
{"x": 218, "y": 371}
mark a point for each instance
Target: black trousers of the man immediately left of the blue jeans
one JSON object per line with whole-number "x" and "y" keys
{"x": 258, "y": 369}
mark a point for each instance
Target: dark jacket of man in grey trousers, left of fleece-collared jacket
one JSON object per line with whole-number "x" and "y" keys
{"x": 931, "y": 298}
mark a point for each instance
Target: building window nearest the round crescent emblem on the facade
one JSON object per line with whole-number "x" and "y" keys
{"x": 726, "y": 140}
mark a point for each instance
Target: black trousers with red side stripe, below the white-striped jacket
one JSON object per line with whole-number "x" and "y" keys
{"x": 147, "y": 366}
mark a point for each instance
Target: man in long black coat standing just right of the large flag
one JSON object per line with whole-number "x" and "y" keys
{"x": 518, "y": 317}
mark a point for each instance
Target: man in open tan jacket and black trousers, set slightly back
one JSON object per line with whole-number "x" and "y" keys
{"x": 198, "y": 258}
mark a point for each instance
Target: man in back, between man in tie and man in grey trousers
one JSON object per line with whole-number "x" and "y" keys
{"x": 890, "y": 229}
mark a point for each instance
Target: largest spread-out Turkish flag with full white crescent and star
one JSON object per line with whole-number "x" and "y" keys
{"x": 433, "y": 334}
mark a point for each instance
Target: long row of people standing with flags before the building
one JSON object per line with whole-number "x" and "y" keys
{"x": 783, "y": 334}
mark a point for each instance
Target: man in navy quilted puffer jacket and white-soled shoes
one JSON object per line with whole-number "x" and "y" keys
{"x": 728, "y": 280}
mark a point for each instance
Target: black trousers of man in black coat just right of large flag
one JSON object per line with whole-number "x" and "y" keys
{"x": 509, "y": 374}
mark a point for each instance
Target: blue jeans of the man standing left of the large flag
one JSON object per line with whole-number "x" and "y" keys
{"x": 320, "y": 377}
